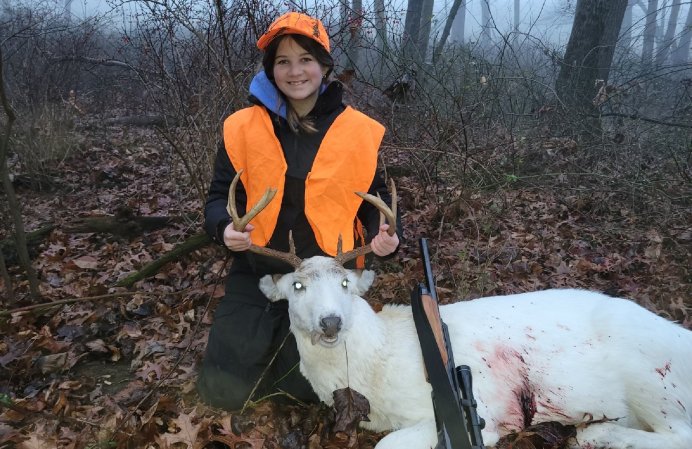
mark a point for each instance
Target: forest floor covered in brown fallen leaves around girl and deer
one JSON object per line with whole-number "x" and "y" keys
{"x": 116, "y": 368}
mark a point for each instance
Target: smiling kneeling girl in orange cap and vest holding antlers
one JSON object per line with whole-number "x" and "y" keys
{"x": 299, "y": 138}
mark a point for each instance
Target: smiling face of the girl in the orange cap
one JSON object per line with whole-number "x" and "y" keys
{"x": 298, "y": 75}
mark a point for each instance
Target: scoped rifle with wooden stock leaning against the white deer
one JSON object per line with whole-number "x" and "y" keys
{"x": 458, "y": 423}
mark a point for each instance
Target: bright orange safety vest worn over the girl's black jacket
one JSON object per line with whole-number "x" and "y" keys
{"x": 345, "y": 163}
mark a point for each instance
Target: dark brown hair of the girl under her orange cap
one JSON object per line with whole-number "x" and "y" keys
{"x": 295, "y": 122}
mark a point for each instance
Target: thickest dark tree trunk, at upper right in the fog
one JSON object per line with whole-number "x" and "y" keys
{"x": 589, "y": 52}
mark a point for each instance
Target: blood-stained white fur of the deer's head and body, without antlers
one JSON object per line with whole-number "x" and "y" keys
{"x": 575, "y": 355}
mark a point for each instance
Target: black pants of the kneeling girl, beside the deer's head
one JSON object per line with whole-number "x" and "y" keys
{"x": 246, "y": 332}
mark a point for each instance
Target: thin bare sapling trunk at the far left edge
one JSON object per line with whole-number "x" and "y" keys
{"x": 13, "y": 204}
